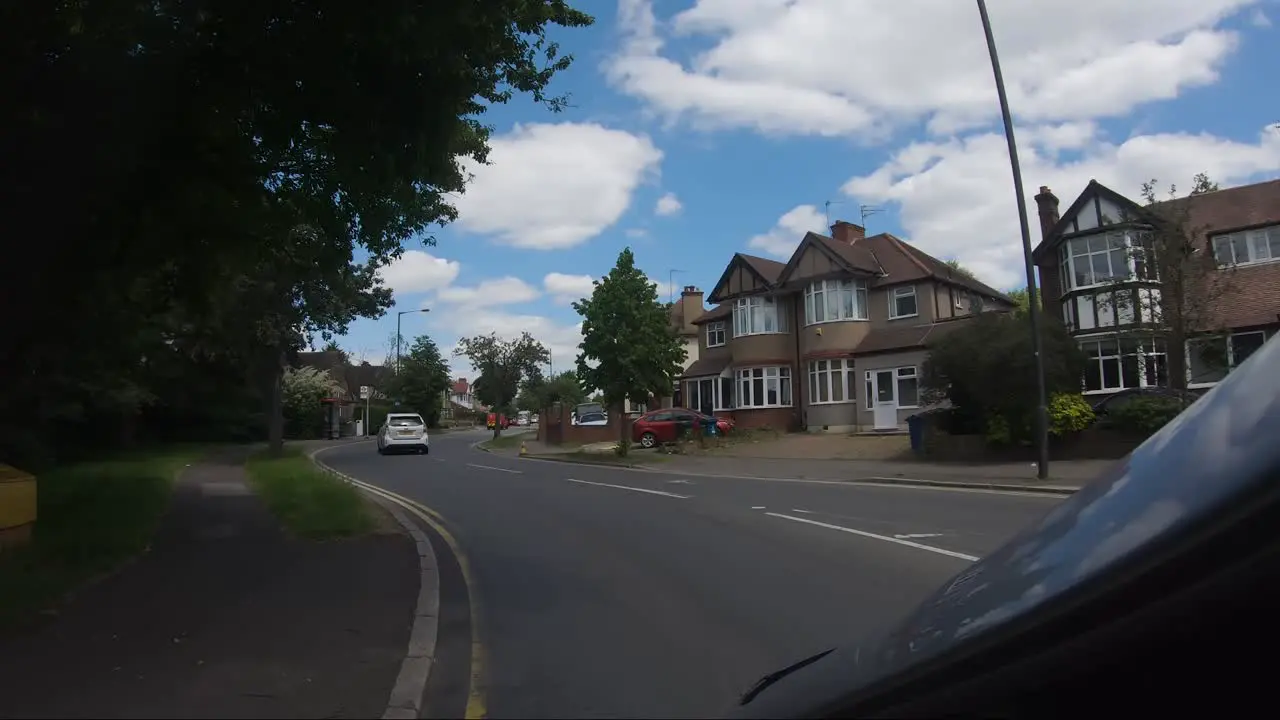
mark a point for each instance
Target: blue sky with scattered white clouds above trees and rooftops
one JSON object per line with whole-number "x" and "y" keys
{"x": 701, "y": 129}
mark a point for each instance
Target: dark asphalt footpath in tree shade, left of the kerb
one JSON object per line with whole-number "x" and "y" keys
{"x": 226, "y": 617}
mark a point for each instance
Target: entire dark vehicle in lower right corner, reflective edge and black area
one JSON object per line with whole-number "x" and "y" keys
{"x": 1151, "y": 593}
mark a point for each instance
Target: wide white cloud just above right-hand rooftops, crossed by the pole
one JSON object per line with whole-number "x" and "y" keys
{"x": 957, "y": 198}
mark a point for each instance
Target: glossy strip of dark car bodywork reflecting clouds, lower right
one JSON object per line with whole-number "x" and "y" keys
{"x": 1209, "y": 458}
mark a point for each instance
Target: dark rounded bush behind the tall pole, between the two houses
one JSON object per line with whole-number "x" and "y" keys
{"x": 988, "y": 371}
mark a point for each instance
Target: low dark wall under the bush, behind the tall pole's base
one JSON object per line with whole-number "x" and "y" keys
{"x": 1090, "y": 445}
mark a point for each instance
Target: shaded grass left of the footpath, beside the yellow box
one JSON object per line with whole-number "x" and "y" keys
{"x": 92, "y": 518}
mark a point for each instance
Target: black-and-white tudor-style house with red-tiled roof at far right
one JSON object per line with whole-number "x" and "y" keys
{"x": 1096, "y": 276}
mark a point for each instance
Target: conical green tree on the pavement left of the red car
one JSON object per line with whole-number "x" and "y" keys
{"x": 628, "y": 335}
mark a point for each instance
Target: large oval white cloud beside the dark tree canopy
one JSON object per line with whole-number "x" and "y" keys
{"x": 555, "y": 186}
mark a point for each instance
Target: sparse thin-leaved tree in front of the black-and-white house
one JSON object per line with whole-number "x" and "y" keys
{"x": 1173, "y": 254}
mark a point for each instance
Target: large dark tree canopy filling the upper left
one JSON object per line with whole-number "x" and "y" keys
{"x": 221, "y": 180}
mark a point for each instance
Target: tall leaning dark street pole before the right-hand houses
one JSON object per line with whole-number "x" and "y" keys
{"x": 1041, "y": 402}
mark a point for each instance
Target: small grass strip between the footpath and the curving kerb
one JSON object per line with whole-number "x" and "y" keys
{"x": 310, "y": 503}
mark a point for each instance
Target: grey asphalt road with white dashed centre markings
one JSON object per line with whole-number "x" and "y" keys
{"x": 616, "y": 594}
